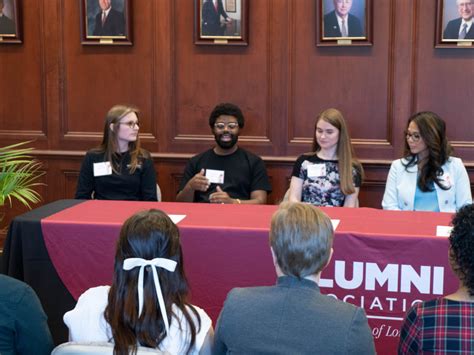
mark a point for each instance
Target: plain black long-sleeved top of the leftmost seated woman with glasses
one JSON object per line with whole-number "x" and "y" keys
{"x": 139, "y": 186}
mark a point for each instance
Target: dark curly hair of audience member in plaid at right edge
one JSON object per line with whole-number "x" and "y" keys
{"x": 462, "y": 246}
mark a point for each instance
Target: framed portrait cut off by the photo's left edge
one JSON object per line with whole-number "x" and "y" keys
{"x": 10, "y": 21}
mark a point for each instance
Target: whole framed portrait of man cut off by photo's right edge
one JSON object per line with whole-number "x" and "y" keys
{"x": 455, "y": 24}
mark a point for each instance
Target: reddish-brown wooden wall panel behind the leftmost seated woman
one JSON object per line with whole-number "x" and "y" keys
{"x": 98, "y": 77}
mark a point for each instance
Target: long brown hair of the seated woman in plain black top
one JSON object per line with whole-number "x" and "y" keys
{"x": 109, "y": 139}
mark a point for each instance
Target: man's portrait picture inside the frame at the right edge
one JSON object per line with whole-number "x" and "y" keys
{"x": 461, "y": 27}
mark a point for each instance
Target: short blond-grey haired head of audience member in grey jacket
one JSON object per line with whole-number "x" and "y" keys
{"x": 301, "y": 238}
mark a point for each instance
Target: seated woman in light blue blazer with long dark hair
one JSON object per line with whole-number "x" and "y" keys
{"x": 427, "y": 178}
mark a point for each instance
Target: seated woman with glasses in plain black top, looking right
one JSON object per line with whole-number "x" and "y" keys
{"x": 119, "y": 169}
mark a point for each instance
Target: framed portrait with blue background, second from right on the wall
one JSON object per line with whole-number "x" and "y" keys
{"x": 344, "y": 22}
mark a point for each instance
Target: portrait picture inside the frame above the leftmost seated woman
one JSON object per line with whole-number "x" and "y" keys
{"x": 106, "y": 18}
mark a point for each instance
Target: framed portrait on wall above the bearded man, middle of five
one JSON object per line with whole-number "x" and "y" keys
{"x": 221, "y": 22}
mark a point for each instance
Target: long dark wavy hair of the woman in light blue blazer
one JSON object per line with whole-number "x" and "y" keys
{"x": 433, "y": 131}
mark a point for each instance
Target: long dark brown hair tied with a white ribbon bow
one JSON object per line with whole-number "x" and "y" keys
{"x": 148, "y": 234}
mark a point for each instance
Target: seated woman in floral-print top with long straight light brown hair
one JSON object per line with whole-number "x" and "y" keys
{"x": 329, "y": 175}
